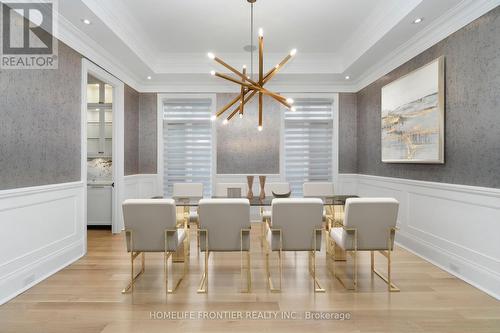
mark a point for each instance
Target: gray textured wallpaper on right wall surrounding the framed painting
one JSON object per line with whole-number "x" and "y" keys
{"x": 472, "y": 140}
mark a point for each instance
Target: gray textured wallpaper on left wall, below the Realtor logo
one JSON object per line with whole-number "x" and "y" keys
{"x": 40, "y": 127}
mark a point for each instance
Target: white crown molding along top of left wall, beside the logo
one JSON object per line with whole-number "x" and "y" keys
{"x": 87, "y": 47}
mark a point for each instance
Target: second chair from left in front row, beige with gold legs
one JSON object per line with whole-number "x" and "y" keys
{"x": 225, "y": 227}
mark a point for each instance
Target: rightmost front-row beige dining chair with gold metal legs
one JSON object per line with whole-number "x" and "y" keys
{"x": 369, "y": 225}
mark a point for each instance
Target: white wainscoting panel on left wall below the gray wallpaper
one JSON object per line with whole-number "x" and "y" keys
{"x": 42, "y": 230}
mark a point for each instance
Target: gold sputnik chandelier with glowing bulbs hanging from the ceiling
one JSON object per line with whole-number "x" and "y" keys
{"x": 249, "y": 87}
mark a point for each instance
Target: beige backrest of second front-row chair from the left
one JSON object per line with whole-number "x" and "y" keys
{"x": 224, "y": 219}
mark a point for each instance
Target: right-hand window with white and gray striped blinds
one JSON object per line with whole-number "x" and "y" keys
{"x": 308, "y": 142}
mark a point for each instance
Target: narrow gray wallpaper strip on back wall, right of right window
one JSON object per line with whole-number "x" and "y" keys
{"x": 348, "y": 149}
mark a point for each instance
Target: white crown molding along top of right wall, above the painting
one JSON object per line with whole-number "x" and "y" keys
{"x": 453, "y": 20}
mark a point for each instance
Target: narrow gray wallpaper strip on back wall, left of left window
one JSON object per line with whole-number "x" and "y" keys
{"x": 147, "y": 132}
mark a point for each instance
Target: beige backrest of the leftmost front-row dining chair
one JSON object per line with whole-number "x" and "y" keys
{"x": 148, "y": 219}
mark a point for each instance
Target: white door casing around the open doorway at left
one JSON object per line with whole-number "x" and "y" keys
{"x": 118, "y": 137}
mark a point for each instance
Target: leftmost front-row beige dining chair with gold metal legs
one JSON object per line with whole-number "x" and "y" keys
{"x": 151, "y": 226}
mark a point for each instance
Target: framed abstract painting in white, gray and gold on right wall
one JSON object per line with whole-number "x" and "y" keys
{"x": 413, "y": 116}
